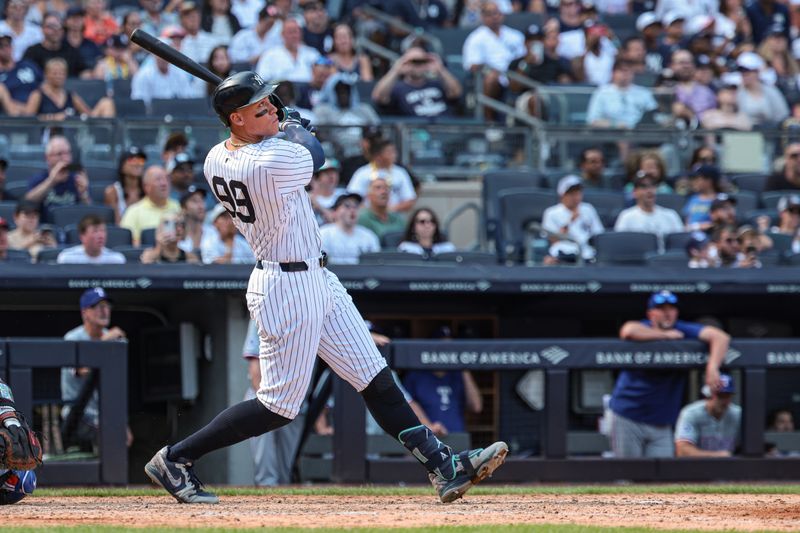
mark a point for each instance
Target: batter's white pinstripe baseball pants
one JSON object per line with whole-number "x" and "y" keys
{"x": 300, "y": 315}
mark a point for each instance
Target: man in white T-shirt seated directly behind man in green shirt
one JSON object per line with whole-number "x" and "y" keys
{"x": 383, "y": 155}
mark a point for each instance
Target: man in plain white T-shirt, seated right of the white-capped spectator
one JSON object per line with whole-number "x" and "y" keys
{"x": 646, "y": 216}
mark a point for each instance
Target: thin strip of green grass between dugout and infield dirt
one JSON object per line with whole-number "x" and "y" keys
{"x": 324, "y": 490}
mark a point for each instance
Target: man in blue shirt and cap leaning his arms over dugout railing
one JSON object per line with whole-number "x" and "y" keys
{"x": 645, "y": 403}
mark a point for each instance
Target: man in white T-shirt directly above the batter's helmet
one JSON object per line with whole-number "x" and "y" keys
{"x": 290, "y": 62}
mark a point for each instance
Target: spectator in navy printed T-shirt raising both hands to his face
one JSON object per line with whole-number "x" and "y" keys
{"x": 417, "y": 85}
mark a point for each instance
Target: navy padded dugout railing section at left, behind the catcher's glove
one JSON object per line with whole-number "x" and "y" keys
{"x": 21, "y": 358}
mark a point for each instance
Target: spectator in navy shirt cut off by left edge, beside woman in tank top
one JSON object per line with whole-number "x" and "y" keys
{"x": 17, "y": 79}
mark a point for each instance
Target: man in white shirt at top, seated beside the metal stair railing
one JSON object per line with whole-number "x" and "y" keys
{"x": 491, "y": 48}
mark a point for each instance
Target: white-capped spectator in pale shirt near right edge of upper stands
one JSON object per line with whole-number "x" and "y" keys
{"x": 762, "y": 103}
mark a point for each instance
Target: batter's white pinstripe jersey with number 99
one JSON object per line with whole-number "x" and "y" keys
{"x": 262, "y": 186}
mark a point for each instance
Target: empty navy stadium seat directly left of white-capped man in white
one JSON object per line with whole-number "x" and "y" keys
{"x": 517, "y": 208}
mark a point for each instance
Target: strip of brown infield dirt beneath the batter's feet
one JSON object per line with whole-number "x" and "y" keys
{"x": 662, "y": 511}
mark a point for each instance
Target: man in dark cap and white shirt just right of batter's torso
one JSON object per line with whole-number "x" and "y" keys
{"x": 343, "y": 239}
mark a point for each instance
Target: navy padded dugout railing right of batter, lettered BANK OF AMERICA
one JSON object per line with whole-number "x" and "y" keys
{"x": 557, "y": 358}
